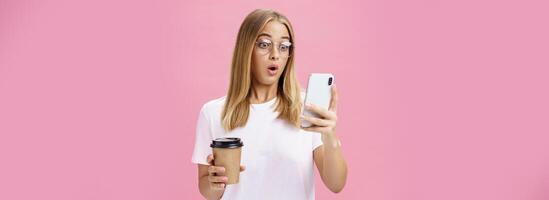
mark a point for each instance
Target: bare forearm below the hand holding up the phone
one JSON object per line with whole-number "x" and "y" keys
{"x": 334, "y": 165}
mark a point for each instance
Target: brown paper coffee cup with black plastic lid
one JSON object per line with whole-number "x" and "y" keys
{"x": 227, "y": 153}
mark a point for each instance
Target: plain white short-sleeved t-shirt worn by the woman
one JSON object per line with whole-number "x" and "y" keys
{"x": 278, "y": 156}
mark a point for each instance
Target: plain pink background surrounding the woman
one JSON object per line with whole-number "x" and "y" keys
{"x": 438, "y": 99}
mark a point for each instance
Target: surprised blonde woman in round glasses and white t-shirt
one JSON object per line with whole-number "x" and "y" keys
{"x": 263, "y": 108}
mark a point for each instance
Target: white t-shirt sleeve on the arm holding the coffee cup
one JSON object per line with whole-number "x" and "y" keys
{"x": 202, "y": 140}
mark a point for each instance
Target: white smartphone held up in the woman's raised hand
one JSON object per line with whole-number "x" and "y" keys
{"x": 319, "y": 93}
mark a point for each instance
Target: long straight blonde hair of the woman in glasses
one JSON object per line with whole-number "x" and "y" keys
{"x": 237, "y": 103}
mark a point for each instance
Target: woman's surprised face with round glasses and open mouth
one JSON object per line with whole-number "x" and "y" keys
{"x": 270, "y": 53}
